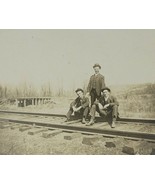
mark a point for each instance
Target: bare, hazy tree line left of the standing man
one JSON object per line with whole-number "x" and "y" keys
{"x": 29, "y": 90}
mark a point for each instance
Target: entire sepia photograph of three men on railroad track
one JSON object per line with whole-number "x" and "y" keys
{"x": 77, "y": 92}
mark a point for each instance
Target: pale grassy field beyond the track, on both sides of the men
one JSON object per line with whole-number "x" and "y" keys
{"x": 135, "y": 101}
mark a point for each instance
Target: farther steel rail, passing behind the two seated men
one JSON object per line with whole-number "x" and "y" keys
{"x": 125, "y": 119}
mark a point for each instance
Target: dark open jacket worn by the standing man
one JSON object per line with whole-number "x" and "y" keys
{"x": 100, "y": 83}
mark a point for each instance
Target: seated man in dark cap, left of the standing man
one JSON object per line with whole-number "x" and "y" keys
{"x": 80, "y": 106}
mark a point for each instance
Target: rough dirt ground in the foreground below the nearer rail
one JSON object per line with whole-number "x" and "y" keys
{"x": 15, "y": 142}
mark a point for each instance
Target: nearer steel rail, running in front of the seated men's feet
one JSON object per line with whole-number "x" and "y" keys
{"x": 89, "y": 130}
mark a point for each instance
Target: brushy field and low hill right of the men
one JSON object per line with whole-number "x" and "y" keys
{"x": 136, "y": 100}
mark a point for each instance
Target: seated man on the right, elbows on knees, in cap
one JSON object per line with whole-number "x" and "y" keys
{"x": 106, "y": 106}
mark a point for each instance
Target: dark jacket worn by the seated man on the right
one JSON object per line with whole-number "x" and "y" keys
{"x": 111, "y": 101}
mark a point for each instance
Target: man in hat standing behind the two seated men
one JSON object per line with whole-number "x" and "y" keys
{"x": 96, "y": 84}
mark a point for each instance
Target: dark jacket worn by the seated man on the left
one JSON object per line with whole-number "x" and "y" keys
{"x": 80, "y": 102}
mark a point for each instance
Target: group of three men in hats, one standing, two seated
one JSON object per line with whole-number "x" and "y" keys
{"x": 101, "y": 101}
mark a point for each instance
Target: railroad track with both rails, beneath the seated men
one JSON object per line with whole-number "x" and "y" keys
{"x": 137, "y": 129}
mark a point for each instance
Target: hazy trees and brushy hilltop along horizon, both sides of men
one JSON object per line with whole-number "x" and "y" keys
{"x": 47, "y": 90}
